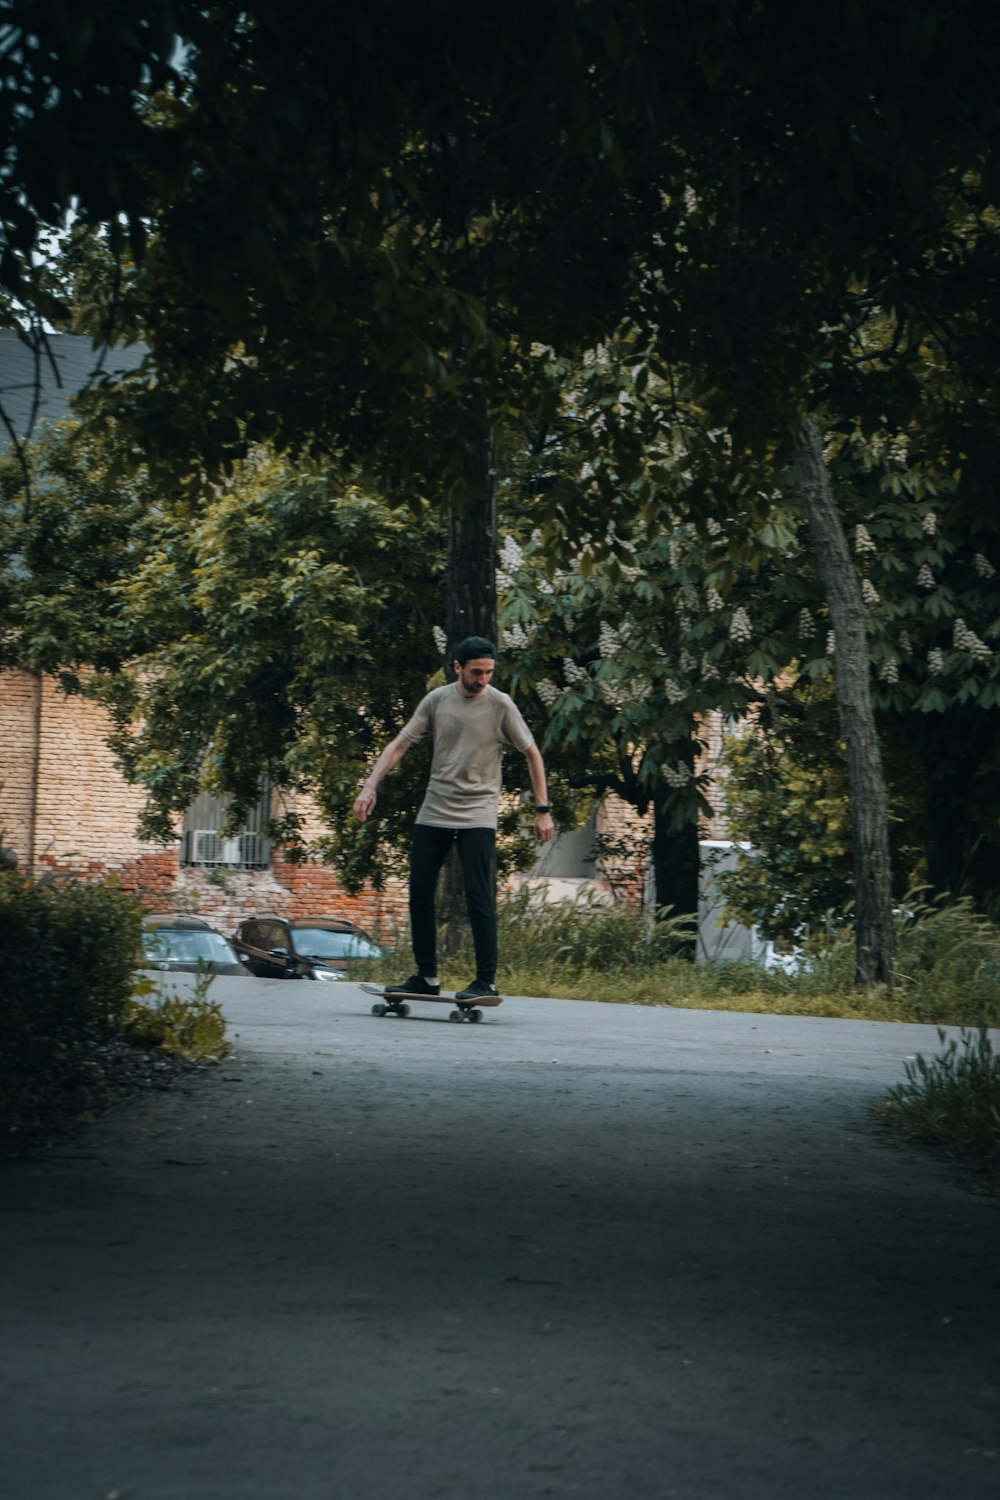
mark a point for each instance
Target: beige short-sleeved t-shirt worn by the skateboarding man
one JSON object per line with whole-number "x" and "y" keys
{"x": 469, "y": 739}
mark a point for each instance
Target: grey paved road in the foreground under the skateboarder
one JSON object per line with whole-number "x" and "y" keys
{"x": 579, "y": 1250}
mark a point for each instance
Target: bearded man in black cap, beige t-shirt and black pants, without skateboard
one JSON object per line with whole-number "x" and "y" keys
{"x": 470, "y": 724}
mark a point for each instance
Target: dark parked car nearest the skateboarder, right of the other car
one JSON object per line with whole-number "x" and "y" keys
{"x": 305, "y": 949}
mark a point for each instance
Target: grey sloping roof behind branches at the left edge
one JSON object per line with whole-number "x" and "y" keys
{"x": 76, "y": 362}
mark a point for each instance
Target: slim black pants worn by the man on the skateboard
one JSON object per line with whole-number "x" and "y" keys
{"x": 478, "y": 853}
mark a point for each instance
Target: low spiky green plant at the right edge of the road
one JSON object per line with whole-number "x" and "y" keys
{"x": 954, "y": 1100}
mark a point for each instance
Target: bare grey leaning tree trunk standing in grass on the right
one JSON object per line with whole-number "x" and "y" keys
{"x": 869, "y": 815}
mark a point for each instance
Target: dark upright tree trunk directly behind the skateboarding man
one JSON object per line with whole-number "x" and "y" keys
{"x": 472, "y": 607}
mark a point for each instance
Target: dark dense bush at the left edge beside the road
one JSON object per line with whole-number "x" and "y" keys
{"x": 70, "y": 953}
